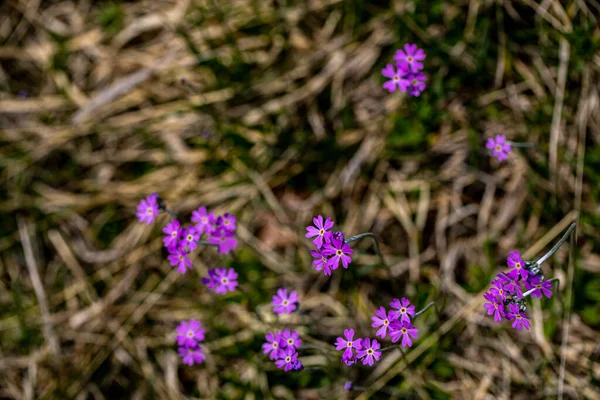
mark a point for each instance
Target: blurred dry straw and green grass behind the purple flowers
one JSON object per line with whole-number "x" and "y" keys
{"x": 274, "y": 111}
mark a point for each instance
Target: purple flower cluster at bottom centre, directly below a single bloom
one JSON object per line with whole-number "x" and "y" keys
{"x": 282, "y": 347}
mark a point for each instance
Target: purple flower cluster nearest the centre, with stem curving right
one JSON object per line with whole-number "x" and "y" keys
{"x": 331, "y": 247}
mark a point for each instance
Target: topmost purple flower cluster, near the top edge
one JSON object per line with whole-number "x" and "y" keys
{"x": 406, "y": 77}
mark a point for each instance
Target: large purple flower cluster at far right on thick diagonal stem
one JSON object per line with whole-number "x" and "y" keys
{"x": 506, "y": 300}
